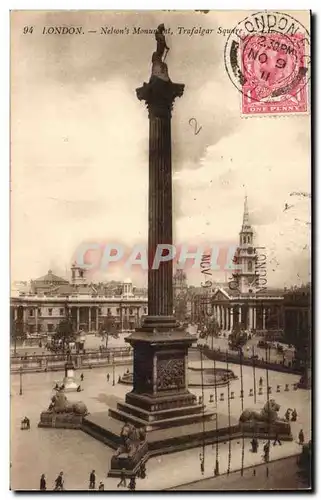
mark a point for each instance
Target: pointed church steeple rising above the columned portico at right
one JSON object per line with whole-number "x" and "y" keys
{"x": 245, "y": 256}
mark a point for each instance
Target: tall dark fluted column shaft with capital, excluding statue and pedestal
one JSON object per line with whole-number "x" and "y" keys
{"x": 159, "y": 96}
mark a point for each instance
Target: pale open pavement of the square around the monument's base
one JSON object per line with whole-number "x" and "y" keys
{"x": 51, "y": 450}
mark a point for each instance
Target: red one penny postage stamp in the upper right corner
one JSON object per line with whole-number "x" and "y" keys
{"x": 274, "y": 74}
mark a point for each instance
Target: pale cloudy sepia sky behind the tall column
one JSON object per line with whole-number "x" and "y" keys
{"x": 79, "y": 146}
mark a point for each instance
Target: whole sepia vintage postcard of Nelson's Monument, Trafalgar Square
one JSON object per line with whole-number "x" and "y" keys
{"x": 160, "y": 309}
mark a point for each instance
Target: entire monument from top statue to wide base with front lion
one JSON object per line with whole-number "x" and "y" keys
{"x": 160, "y": 401}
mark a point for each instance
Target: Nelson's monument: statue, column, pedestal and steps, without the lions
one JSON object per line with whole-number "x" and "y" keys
{"x": 160, "y": 398}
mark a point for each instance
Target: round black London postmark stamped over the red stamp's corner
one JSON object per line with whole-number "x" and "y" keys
{"x": 267, "y": 58}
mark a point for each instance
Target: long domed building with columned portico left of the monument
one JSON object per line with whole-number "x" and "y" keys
{"x": 52, "y": 298}
